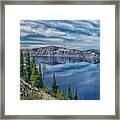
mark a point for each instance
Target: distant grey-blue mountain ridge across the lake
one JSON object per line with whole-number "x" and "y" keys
{"x": 92, "y": 56}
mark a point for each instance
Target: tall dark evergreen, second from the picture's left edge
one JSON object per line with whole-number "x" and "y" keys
{"x": 27, "y": 67}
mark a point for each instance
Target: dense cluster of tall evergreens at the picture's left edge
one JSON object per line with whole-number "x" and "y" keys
{"x": 29, "y": 72}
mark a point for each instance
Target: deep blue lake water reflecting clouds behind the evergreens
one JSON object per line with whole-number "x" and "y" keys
{"x": 81, "y": 75}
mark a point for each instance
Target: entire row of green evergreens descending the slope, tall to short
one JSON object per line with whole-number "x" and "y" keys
{"x": 35, "y": 77}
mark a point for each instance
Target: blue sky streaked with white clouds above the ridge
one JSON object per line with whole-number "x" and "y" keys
{"x": 77, "y": 34}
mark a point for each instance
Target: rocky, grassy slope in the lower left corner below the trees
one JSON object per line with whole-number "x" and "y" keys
{"x": 27, "y": 90}
